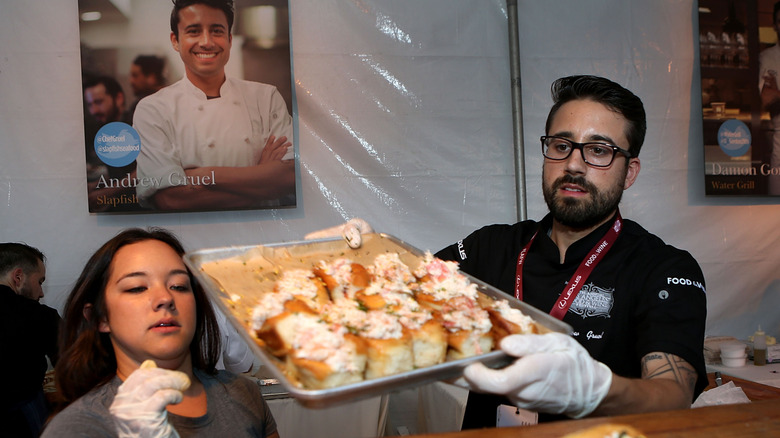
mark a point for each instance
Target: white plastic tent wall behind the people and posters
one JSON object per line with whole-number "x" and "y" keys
{"x": 404, "y": 119}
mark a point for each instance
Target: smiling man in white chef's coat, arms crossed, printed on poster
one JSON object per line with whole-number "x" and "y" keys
{"x": 210, "y": 141}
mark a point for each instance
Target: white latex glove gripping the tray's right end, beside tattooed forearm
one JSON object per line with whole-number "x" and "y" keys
{"x": 554, "y": 374}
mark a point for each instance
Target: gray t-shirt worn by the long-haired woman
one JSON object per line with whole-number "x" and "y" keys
{"x": 236, "y": 408}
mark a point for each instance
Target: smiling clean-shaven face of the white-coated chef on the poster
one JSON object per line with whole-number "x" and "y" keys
{"x": 204, "y": 41}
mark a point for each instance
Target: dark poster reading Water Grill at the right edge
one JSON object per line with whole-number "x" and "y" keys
{"x": 740, "y": 100}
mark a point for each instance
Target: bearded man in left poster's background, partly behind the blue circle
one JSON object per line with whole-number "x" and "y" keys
{"x": 105, "y": 103}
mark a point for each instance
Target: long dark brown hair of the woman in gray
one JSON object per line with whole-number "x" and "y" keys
{"x": 87, "y": 357}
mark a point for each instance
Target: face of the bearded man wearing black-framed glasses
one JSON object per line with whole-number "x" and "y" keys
{"x": 578, "y": 195}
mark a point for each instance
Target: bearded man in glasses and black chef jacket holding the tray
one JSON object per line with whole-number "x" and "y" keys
{"x": 637, "y": 306}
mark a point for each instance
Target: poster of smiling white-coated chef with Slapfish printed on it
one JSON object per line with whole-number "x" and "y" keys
{"x": 192, "y": 111}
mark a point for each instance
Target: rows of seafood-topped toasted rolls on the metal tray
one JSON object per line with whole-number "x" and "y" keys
{"x": 341, "y": 322}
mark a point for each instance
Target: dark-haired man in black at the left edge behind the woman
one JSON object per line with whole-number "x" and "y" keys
{"x": 28, "y": 334}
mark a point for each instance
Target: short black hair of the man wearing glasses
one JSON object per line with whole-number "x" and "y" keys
{"x": 608, "y": 93}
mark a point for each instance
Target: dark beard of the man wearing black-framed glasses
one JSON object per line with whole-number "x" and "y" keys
{"x": 582, "y": 213}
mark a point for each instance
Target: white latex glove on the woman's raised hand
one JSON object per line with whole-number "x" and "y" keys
{"x": 139, "y": 405}
